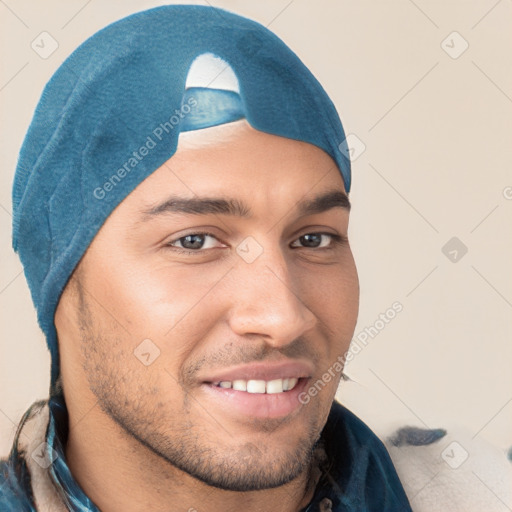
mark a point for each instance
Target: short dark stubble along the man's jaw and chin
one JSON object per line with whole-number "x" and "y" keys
{"x": 185, "y": 444}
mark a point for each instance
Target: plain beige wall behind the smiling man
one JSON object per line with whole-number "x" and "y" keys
{"x": 431, "y": 123}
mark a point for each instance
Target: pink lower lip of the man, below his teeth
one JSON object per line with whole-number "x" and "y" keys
{"x": 257, "y": 405}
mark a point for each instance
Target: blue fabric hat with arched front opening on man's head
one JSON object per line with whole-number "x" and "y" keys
{"x": 112, "y": 114}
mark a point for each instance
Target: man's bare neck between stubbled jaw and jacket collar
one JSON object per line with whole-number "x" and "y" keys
{"x": 106, "y": 462}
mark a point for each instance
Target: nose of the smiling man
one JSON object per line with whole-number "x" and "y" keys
{"x": 267, "y": 301}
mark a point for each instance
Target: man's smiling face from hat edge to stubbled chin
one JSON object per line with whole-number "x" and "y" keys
{"x": 198, "y": 327}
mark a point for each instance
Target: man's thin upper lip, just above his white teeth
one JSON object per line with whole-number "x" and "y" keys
{"x": 262, "y": 371}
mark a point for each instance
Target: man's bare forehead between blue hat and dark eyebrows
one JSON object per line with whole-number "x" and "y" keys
{"x": 240, "y": 161}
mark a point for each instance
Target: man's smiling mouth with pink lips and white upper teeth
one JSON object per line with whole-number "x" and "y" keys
{"x": 258, "y": 390}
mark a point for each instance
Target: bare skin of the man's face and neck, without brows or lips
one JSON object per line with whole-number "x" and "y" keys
{"x": 146, "y": 437}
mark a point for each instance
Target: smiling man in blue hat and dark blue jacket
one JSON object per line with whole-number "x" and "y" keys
{"x": 181, "y": 211}
